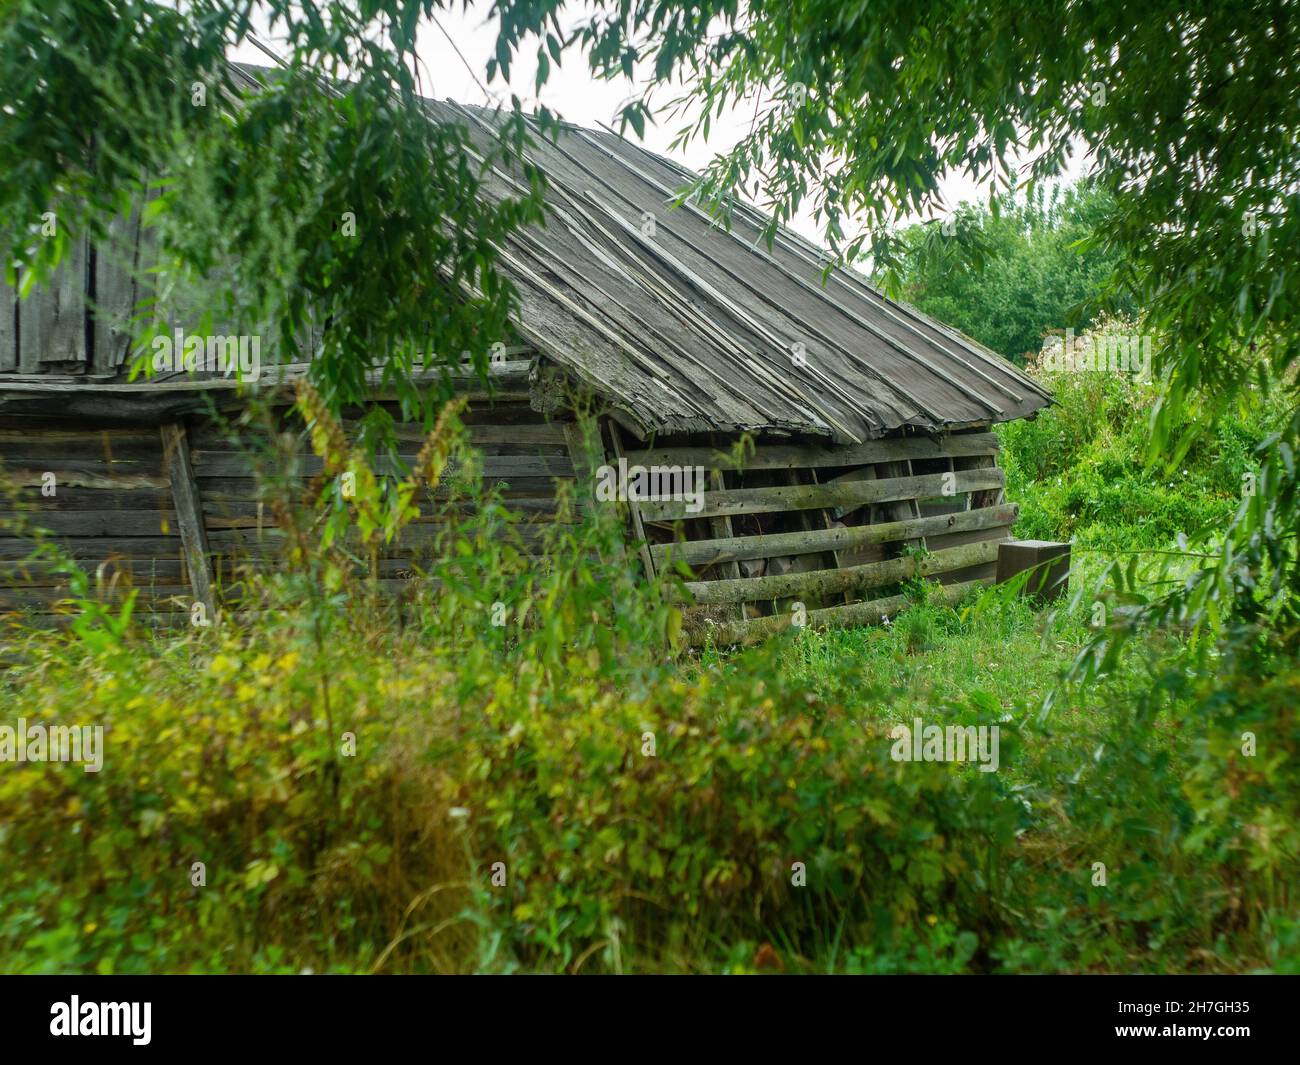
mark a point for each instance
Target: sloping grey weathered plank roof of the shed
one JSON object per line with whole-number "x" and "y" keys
{"x": 687, "y": 326}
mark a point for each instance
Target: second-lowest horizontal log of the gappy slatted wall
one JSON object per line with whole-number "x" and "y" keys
{"x": 853, "y": 579}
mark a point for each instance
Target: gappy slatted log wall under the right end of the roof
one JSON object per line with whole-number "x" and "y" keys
{"x": 826, "y": 535}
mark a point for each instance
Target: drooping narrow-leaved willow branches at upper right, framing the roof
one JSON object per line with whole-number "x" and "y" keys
{"x": 1191, "y": 114}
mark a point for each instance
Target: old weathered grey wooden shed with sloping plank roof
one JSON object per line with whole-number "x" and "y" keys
{"x": 872, "y": 421}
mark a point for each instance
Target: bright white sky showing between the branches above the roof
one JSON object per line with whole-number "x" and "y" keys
{"x": 579, "y": 97}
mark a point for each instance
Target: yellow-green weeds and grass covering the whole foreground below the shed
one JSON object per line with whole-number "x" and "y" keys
{"x": 648, "y": 812}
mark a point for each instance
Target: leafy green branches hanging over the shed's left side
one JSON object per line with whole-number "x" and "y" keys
{"x": 326, "y": 194}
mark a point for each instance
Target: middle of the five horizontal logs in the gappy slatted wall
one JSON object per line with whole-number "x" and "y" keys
{"x": 701, "y": 553}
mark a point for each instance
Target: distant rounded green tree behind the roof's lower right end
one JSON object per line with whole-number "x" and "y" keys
{"x": 1039, "y": 270}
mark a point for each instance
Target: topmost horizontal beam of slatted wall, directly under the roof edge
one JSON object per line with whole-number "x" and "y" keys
{"x": 791, "y": 456}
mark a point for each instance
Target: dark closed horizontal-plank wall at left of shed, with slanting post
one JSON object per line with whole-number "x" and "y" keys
{"x": 116, "y": 492}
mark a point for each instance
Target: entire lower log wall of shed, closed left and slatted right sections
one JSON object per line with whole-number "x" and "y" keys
{"x": 183, "y": 513}
